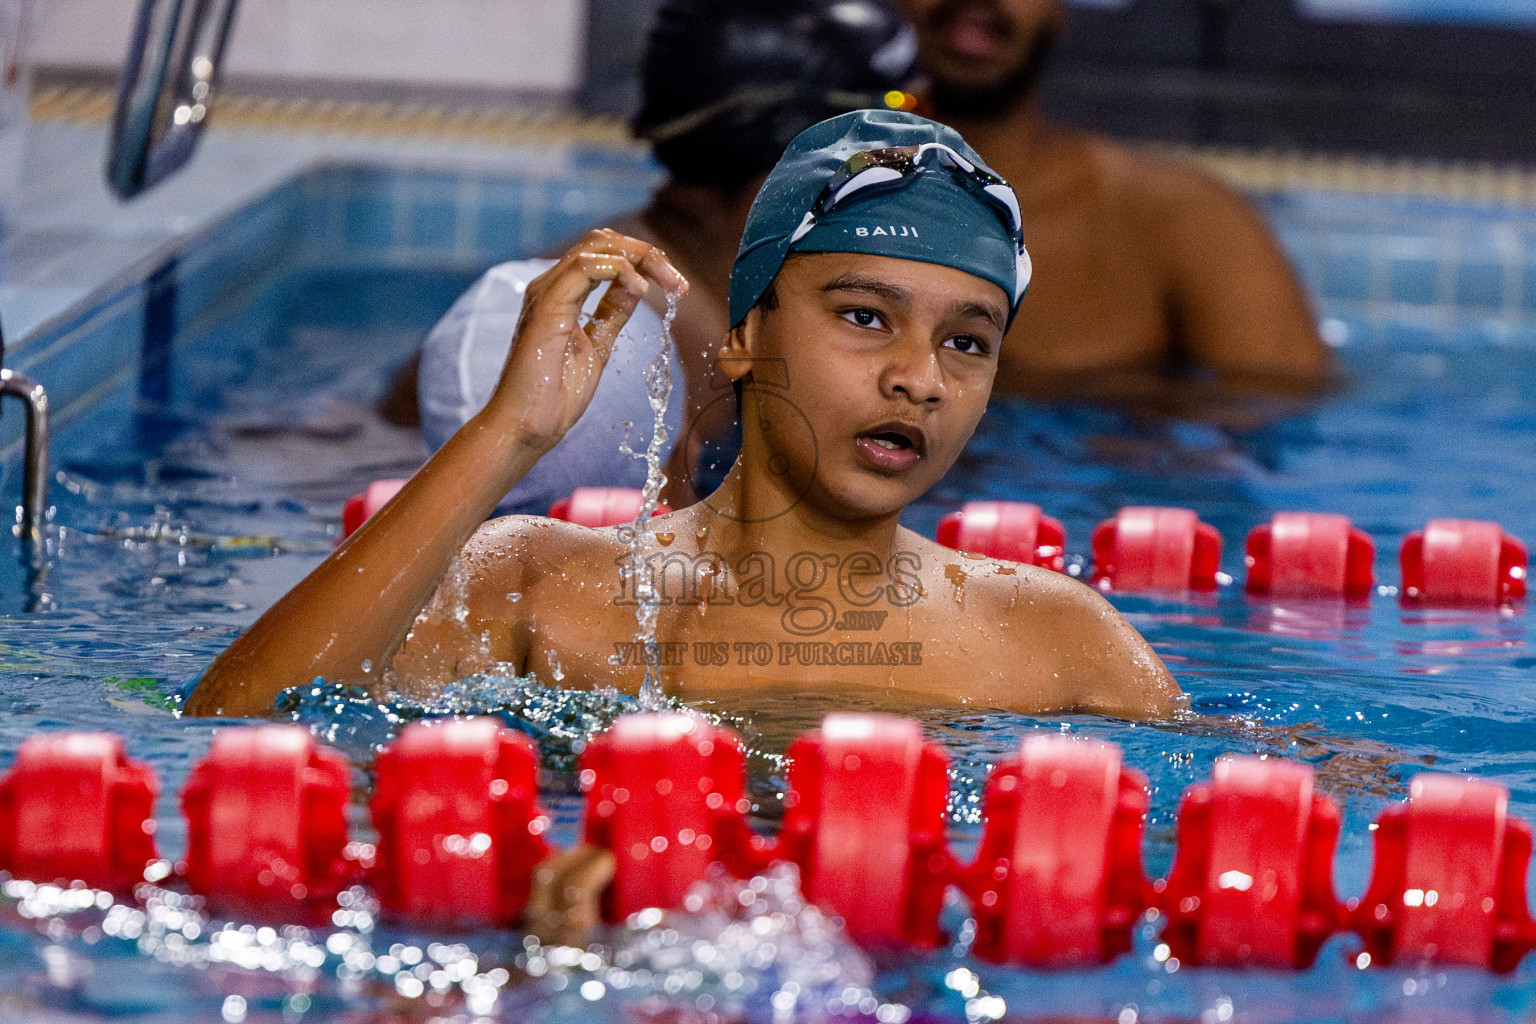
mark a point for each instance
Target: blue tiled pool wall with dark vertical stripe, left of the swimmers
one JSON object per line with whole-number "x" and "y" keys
{"x": 329, "y": 217}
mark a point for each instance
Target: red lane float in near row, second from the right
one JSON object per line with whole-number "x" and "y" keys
{"x": 1253, "y": 880}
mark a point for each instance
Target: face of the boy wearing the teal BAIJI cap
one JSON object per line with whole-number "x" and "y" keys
{"x": 889, "y": 362}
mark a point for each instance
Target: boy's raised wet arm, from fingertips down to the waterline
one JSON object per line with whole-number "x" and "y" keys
{"x": 356, "y": 609}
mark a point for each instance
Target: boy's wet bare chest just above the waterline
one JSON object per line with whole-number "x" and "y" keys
{"x": 866, "y": 626}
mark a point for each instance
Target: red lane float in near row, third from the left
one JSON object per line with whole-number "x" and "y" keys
{"x": 460, "y": 824}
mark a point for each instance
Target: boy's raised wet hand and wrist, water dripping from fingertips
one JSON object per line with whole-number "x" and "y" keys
{"x": 555, "y": 363}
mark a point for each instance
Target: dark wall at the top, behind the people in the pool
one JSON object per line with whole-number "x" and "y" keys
{"x": 1248, "y": 73}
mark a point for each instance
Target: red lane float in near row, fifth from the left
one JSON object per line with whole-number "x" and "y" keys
{"x": 866, "y": 822}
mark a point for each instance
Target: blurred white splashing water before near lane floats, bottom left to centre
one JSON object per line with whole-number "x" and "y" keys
{"x": 750, "y": 950}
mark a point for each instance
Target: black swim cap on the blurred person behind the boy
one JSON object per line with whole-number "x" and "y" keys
{"x": 727, "y": 84}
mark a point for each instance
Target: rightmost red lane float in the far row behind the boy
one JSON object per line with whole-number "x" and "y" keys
{"x": 1463, "y": 563}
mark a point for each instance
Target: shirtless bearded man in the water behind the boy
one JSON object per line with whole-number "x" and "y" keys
{"x": 1148, "y": 265}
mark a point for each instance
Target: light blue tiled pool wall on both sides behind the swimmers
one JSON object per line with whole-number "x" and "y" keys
{"x": 1368, "y": 262}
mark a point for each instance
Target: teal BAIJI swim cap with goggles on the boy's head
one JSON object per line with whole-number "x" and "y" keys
{"x": 884, "y": 183}
